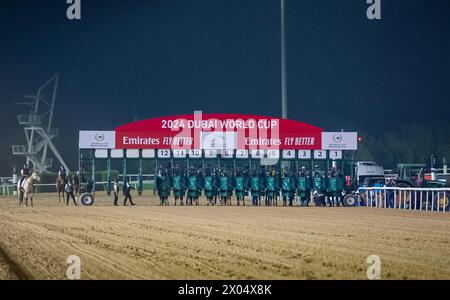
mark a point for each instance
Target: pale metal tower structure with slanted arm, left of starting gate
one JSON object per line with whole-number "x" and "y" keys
{"x": 37, "y": 124}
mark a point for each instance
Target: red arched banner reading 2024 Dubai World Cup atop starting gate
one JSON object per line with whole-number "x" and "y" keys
{"x": 218, "y": 131}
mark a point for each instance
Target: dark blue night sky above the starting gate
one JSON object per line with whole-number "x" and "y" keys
{"x": 143, "y": 59}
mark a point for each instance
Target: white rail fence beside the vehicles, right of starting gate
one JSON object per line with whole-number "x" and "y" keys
{"x": 424, "y": 199}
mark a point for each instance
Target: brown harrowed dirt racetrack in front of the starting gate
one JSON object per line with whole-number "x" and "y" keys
{"x": 152, "y": 242}
